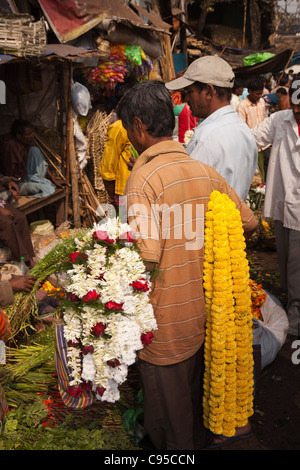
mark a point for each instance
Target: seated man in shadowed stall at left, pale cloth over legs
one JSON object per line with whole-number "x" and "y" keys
{"x": 24, "y": 161}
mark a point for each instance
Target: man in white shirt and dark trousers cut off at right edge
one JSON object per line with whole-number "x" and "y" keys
{"x": 282, "y": 199}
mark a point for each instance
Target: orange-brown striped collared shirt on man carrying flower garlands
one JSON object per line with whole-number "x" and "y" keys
{"x": 167, "y": 196}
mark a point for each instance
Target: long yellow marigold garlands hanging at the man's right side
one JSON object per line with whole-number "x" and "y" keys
{"x": 228, "y": 377}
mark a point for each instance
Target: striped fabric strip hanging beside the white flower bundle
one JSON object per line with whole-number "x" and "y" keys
{"x": 63, "y": 371}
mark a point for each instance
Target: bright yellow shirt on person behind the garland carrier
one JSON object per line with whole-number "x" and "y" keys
{"x": 116, "y": 153}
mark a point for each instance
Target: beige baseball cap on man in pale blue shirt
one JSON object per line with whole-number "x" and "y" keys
{"x": 207, "y": 69}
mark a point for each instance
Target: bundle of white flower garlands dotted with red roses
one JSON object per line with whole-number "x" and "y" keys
{"x": 106, "y": 309}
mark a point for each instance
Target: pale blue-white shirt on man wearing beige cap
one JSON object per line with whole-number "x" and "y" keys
{"x": 225, "y": 142}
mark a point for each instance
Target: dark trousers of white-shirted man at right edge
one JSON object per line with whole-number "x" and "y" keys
{"x": 288, "y": 250}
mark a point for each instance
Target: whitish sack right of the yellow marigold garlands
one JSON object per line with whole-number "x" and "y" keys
{"x": 270, "y": 333}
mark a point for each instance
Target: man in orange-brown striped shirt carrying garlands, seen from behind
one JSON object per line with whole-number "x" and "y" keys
{"x": 167, "y": 196}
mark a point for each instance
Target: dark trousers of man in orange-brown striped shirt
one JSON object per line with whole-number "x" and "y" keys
{"x": 173, "y": 402}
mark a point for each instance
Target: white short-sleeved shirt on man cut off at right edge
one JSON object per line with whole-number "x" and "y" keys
{"x": 282, "y": 199}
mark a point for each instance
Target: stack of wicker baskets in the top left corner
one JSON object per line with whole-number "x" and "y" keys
{"x": 20, "y": 35}
